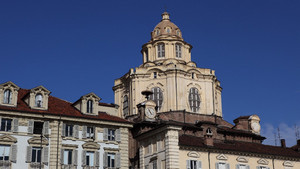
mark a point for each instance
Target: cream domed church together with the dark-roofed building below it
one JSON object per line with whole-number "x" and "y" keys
{"x": 177, "y": 114}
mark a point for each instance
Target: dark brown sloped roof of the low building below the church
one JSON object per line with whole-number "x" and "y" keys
{"x": 238, "y": 146}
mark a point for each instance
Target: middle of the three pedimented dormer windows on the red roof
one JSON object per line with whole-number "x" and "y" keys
{"x": 38, "y": 98}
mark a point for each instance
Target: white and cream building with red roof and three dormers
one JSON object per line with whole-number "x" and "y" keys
{"x": 38, "y": 130}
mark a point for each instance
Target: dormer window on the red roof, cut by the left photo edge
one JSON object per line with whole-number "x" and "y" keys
{"x": 9, "y": 94}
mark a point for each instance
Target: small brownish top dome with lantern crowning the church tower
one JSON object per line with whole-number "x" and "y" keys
{"x": 166, "y": 29}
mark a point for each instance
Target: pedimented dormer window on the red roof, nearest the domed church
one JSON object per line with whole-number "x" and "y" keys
{"x": 88, "y": 104}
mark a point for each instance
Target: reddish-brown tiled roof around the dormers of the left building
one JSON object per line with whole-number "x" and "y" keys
{"x": 58, "y": 107}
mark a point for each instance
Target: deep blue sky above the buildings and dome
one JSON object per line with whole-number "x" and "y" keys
{"x": 77, "y": 47}
